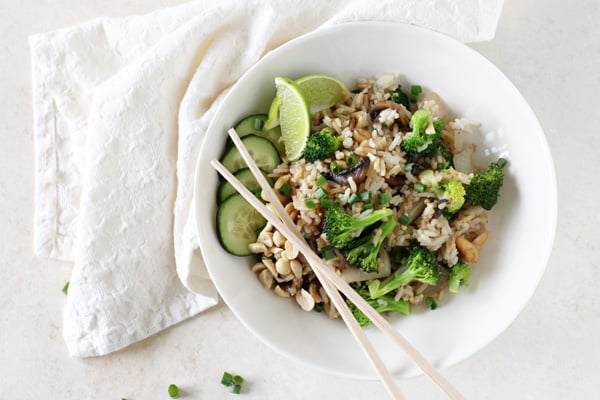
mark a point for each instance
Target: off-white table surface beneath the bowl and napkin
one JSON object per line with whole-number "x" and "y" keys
{"x": 549, "y": 49}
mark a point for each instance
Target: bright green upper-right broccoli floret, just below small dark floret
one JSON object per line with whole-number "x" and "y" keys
{"x": 420, "y": 142}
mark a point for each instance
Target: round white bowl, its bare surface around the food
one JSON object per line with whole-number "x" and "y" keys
{"x": 522, "y": 224}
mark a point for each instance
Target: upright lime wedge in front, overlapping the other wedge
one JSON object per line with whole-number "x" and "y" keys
{"x": 294, "y": 117}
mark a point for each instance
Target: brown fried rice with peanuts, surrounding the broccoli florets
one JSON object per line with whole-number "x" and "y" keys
{"x": 370, "y": 125}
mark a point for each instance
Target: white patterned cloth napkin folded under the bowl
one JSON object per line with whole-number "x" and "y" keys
{"x": 120, "y": 109}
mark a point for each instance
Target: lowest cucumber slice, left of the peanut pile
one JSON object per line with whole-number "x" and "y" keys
{"x": 237, "y": 224}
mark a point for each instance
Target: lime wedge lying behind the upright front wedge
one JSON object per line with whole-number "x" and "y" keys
{"x": 321, "y": 91}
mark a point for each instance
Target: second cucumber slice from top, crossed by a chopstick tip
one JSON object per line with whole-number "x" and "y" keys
{"x": 263, "y": 152}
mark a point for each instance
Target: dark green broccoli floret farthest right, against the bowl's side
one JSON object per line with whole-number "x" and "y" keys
{"x": 485, "y": 187}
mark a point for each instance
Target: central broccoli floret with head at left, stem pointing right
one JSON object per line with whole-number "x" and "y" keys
{"x": 340, "y": 227}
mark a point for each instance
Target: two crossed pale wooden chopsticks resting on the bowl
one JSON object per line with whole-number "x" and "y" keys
{"x": 331, "y": 282}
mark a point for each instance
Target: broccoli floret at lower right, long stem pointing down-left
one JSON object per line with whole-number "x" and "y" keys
{"x": 421, "y": 265}
